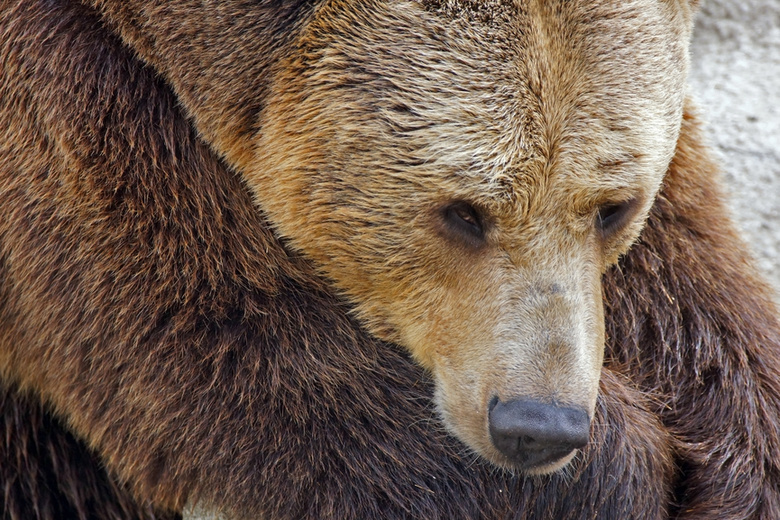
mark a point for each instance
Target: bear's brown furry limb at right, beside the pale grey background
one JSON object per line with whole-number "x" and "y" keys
{"x": 687, "y": 312}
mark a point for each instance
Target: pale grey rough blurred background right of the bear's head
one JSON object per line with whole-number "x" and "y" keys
{"x": 735, "y": 79}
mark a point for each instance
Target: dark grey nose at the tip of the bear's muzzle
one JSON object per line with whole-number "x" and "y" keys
{"x": 533, "y": 434}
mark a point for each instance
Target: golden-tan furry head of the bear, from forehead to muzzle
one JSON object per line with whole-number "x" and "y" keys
{"x": 464, "y": 172}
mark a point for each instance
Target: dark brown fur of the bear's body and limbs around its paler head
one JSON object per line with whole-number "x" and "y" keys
{"x": 155, "y": 313}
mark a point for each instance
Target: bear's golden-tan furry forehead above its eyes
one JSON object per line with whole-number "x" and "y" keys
{"x": 498, "y": 90}
